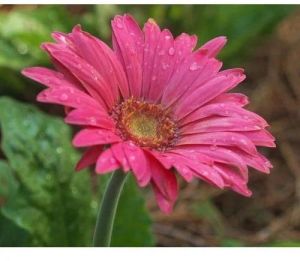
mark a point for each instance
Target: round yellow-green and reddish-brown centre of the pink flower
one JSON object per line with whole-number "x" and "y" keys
{"x": 146, "y": 124}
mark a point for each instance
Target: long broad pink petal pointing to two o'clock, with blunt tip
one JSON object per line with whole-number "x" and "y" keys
{"x": 225, "y": 81}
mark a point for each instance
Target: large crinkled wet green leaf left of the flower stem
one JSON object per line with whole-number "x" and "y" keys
{"x": 52, "y": 203}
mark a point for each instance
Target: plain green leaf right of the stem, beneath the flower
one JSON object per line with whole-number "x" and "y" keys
{"x": 132, "y": 226}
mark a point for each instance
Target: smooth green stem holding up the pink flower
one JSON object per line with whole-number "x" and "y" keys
{"x": 107, "y": 211}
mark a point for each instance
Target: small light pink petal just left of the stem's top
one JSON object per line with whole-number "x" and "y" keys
{"x": 106, "y": 162}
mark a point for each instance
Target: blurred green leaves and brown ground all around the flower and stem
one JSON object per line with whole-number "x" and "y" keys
{"x": 43, "y": 203}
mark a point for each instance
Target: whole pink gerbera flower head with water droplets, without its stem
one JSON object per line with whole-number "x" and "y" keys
{"x": 154, "y": 106}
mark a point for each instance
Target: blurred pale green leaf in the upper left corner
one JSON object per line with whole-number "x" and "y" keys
{"x": 23, "y": 30}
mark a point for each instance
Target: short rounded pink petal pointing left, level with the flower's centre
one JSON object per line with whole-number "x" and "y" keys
{"x": 90, "y": 117}
